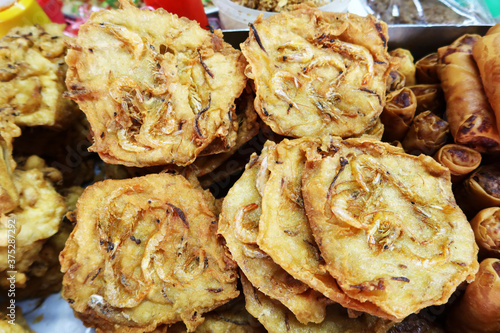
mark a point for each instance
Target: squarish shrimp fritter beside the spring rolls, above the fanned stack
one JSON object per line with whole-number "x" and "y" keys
{"x": 318, "y": 73}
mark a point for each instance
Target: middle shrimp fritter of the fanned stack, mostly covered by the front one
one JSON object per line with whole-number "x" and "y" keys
{"x": 284, "y": 232}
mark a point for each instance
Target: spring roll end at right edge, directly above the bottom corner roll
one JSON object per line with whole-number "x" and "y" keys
{"x": 486, "y": 226}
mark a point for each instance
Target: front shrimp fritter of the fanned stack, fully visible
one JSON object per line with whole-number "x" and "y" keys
{"x": 387, "y": 225}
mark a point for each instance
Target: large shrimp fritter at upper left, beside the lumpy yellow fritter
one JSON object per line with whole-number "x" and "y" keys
{"x": 157, "y": 89}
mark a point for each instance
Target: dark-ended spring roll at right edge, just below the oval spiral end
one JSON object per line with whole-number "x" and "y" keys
{"x": 480, "y": 190}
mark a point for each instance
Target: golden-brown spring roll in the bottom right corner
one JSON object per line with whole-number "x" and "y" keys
{"x": 479, "y": 309}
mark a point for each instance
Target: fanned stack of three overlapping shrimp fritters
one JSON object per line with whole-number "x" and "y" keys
{"x": 357, "y": 220}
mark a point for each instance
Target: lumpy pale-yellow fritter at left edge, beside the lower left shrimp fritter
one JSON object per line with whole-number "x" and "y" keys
{"x": 36, "y": 218}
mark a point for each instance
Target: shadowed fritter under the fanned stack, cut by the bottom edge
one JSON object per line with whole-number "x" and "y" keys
{"x": 276, "y": 318}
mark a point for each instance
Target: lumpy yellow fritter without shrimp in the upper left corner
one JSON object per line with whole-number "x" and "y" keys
{"x": 32, "y": 74}
